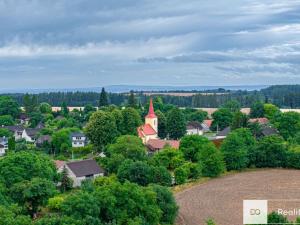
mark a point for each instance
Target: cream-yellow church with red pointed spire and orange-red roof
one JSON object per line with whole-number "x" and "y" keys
{"x": 149, "y": 130}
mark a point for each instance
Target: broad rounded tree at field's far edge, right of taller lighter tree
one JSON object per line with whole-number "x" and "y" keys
{"x": 269, "y": 152}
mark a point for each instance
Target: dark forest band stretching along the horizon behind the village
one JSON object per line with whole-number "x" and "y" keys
{"x": 283, "y": 96}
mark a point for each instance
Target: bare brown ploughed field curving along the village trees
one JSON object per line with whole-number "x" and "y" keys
{"x": 222, "y": 198}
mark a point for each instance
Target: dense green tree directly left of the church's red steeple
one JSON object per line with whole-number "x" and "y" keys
{"x": 131, "y": 121}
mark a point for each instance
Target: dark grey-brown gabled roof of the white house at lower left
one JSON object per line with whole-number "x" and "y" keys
{"x": 85, "y": 167}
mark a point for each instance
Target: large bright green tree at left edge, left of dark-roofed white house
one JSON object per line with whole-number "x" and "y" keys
{"x": 25, "y": 165}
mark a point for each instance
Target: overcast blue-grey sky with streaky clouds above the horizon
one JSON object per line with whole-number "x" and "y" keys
{"x": 76, "y": 43}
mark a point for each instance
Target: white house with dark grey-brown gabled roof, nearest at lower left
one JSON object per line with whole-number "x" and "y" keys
{"x": 82, "y": 170}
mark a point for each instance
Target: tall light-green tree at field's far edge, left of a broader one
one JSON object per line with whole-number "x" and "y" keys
{"x": 236, "y": 148}
